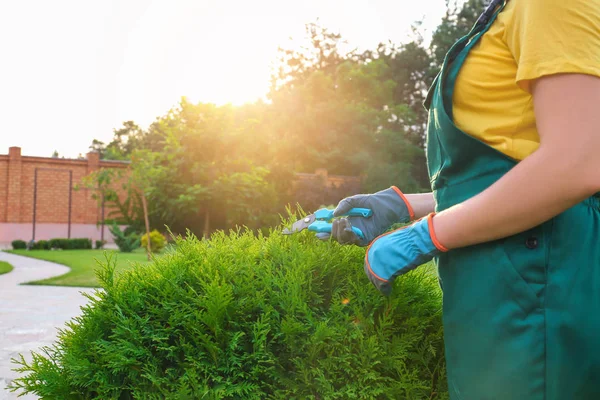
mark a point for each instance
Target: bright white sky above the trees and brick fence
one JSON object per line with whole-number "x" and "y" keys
{"x": 73, "y": 70}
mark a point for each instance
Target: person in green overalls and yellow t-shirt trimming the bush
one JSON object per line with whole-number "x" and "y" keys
{"x": 514, "y": 214}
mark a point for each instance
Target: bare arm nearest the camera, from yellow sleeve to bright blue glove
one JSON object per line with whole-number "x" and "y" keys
{"x": 564, "y": 170}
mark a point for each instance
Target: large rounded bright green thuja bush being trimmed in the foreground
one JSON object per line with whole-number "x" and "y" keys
{"x": 248, "y": 317}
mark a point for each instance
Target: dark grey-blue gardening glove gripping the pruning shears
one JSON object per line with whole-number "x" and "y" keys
{"x": 389, "y": 206}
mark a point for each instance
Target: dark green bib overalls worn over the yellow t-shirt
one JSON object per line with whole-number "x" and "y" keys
{"x": 521, "y": 314}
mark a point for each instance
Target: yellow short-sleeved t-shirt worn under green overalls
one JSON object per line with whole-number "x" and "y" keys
{"x": 529, "y": 39}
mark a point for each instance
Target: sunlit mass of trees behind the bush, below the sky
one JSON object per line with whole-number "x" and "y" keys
{"x": 352, "y": 113}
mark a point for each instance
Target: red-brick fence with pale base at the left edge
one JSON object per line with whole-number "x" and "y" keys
{"x": 49, "y": 183}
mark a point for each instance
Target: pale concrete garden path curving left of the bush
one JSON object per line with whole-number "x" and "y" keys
{"x": 30, "y": 315}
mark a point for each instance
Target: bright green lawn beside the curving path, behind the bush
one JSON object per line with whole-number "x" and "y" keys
{"x": 83, "y": 264}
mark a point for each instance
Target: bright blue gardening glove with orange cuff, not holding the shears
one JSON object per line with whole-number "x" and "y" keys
{"x": 397, "y": 252}
